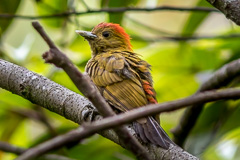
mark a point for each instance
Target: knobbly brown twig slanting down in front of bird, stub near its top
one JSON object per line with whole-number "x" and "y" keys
{"x": 83, "y": 83}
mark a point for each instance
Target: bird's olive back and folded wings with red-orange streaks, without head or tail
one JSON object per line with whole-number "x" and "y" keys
{"x": 123, "y": 79}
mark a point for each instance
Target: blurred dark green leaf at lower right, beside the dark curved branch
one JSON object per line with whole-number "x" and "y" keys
{"x": 211, "y": 126}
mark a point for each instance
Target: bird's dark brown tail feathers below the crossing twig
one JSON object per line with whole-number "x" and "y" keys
{"x": 152, "y": 132}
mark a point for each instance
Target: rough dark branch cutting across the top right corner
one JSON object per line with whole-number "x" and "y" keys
{"x": 228, "y": 7}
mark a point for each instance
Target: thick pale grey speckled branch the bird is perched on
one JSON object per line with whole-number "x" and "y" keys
{"x": 54, "y": 97}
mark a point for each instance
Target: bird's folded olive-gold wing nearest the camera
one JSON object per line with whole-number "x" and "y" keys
{"x": 119, "y": 84}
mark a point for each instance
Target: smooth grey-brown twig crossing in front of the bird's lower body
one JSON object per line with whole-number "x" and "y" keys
{"x": 88, "y": 129}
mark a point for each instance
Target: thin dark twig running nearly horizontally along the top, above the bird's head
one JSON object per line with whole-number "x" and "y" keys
{"x": 110, "y": 10}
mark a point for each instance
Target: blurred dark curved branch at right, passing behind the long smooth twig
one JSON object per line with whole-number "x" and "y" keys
{"x": 220, "y": 78}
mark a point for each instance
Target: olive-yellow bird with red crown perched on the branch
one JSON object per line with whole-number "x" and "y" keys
{"x": 123, "y": 78}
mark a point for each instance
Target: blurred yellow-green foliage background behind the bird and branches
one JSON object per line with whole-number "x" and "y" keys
{"x": 178, "y": 69}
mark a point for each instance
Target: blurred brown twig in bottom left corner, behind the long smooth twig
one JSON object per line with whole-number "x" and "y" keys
{"x": 6, "y": 147}
